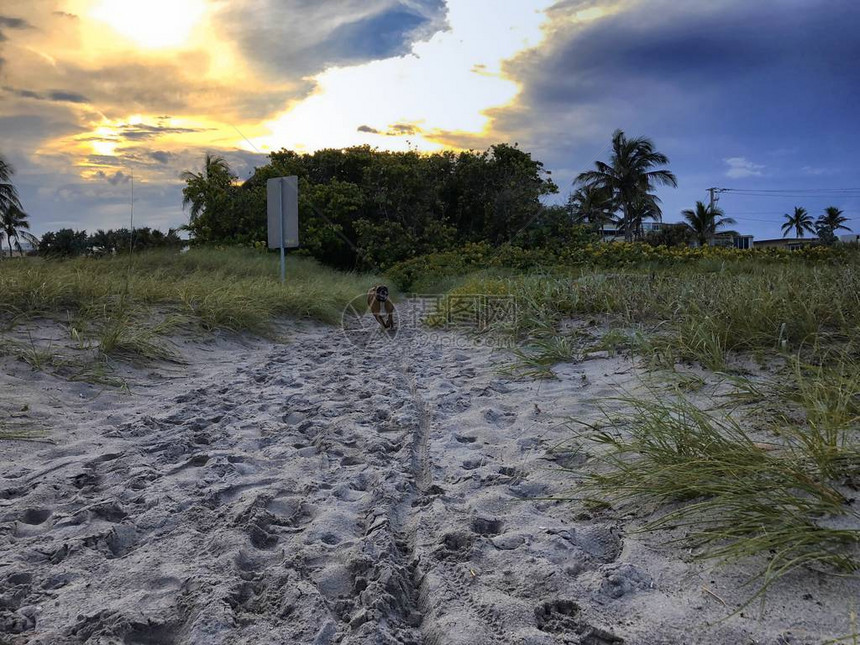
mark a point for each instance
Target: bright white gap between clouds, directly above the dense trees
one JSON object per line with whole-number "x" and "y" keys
{"x": 390, "y": 99}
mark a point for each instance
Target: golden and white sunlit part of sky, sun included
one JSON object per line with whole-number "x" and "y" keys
{"x": 151, "y": 85}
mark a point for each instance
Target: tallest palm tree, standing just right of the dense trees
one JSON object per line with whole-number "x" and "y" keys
{"x": 631, "y": 174}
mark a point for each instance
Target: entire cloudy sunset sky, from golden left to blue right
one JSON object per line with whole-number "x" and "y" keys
{"x": 759, "y": 97}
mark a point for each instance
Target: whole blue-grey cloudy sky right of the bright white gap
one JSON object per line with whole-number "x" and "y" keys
{"x": 721, "y": 87}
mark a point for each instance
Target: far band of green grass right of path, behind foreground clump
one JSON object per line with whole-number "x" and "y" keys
{"x": 703, "y": 312}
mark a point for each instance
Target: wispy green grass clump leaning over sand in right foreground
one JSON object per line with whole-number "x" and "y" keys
{"x": 731, "y": 496}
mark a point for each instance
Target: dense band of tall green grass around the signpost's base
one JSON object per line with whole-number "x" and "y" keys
{"x": 236, "y": 289}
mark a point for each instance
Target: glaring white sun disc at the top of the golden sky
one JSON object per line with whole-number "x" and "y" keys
{"x": 152, "y": 24}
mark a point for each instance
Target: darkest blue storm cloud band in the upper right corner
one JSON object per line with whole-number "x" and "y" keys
{"x": 697, "y": 49}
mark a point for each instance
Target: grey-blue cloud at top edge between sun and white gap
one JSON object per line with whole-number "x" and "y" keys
{"x": 296, "y": 38}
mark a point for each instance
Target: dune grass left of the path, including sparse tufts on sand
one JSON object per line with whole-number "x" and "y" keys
{"x": 124, "y": 306}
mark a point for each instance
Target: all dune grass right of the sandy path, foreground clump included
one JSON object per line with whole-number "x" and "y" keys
{"x": 772, "y": 477}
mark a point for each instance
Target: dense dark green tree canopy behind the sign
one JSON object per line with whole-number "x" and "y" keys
{"x": 371, "y": 208}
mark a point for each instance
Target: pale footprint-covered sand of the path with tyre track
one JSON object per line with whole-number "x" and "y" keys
{"x": 311, "y": 492}
